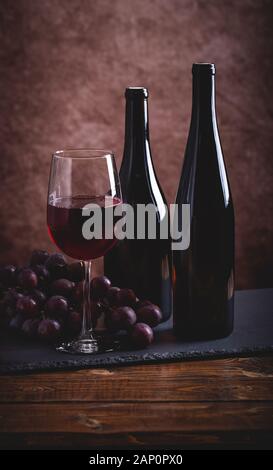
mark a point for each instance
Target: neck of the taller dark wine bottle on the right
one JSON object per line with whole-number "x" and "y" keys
{"x": 203, "y": 100}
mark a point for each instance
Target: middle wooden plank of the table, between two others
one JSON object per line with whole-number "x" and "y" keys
{"x": 126, "y": 418}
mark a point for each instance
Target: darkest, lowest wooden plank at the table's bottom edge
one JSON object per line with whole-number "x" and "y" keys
{"x": 228, "y": 439}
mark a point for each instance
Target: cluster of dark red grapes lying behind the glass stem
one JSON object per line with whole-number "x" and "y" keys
{"x": 43, "y": 300}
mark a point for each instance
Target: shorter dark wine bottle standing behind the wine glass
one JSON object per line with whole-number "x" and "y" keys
{"x": 143, "y": 265}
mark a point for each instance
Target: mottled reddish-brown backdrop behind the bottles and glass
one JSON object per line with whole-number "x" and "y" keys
{"x": 64, "y": 66}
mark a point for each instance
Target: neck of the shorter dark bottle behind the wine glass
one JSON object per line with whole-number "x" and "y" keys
{"x": 136, "y": 129}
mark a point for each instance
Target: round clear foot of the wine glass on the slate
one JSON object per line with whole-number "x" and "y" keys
{"x": 90, "y": 345}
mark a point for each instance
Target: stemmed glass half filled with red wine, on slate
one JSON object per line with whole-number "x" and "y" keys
{"x": 78, "y": 178}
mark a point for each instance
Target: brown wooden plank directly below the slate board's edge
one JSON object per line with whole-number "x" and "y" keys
{"x": 216, "y": 380}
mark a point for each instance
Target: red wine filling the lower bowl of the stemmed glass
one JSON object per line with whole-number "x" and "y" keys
{"x": 65, "y": 221}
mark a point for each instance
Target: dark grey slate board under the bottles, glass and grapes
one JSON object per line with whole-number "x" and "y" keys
{"x": 253, "y": 334}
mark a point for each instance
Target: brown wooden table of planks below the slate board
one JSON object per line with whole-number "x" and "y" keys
{"x": 215, "y": 403}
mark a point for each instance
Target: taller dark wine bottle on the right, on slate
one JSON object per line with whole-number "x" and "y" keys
{"x": 204, "y": 272}
